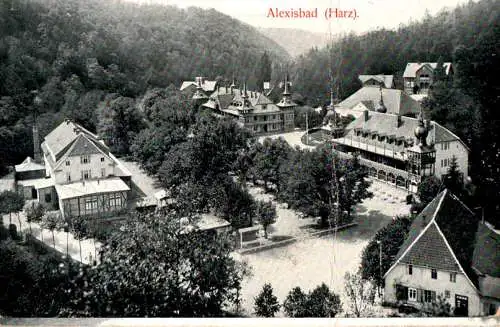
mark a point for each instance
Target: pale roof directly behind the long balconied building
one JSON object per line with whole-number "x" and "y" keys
{"x": 396, "y": 101}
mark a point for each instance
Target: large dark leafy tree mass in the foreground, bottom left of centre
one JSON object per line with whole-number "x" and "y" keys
{"x": 152, "y": 267}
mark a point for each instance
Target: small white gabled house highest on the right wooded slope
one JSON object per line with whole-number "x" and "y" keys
{"x": 418, "y": 77}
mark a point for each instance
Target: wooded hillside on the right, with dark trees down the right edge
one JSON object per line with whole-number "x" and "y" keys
{"x": 468, "y": 36}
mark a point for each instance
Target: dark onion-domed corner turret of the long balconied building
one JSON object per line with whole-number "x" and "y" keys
{"x": 421, "y": 156}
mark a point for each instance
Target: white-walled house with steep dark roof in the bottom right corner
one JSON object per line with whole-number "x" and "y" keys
{"x": 449, "y": 255}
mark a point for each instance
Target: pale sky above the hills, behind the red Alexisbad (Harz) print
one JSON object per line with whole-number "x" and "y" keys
{"x": 371, "y": 14}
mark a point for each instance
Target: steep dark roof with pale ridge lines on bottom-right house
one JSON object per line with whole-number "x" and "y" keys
{"x": 442, "y": 236}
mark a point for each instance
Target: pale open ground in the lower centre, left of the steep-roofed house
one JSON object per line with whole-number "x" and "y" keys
{"x": 309, "y": 262}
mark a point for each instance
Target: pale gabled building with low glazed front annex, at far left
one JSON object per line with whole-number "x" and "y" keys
{"x": 80, "y": 176}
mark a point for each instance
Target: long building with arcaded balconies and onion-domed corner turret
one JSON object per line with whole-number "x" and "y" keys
{"x": 402, "y": 150}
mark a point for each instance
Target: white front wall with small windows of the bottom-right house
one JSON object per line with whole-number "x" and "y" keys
{"x": 421, "y": 278}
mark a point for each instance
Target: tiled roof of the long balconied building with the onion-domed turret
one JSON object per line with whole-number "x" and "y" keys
{"x": 387, "y": 123}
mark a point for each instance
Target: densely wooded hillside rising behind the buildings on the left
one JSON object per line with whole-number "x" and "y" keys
{"x": 78, "y": 53}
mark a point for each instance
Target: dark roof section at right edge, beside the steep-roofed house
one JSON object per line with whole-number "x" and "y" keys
{"x": 486, "y": 258}
